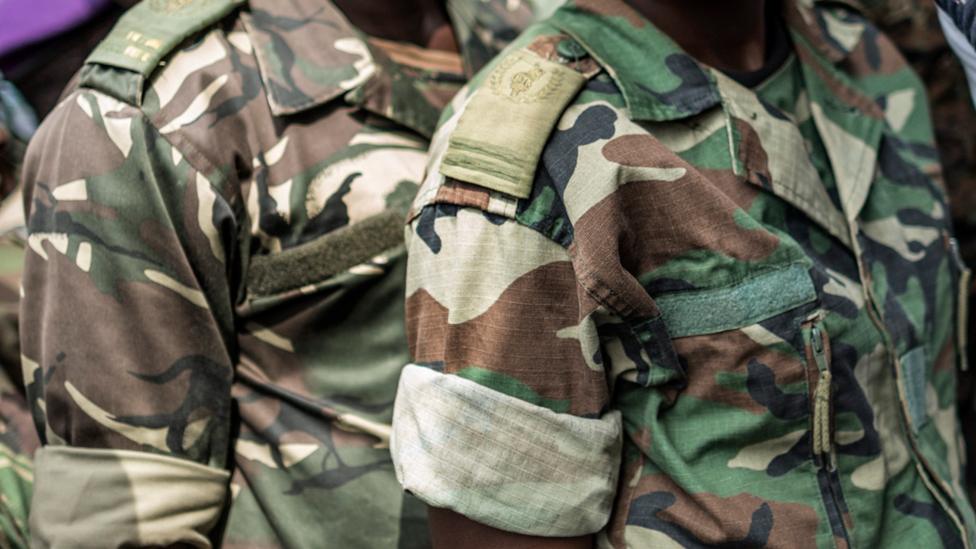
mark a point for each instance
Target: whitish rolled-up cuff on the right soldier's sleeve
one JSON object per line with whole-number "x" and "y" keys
{"x": 501, "y": 461}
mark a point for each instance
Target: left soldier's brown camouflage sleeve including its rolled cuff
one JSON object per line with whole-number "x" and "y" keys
{"x": 127, "y": 326}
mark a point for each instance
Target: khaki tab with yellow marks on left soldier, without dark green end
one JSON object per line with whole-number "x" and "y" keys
{"x": 153, "y": 28}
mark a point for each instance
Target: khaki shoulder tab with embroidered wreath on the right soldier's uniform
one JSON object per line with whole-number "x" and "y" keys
{"x": 506, "y": 123}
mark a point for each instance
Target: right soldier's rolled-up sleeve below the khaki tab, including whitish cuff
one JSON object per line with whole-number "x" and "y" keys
{"x": 504, "y": 417}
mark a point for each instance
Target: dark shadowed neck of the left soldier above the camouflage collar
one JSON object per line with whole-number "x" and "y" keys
{"x": 421, "y": 22}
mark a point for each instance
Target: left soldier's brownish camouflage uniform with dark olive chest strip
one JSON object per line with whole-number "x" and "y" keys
{"x": 213, "y": 291}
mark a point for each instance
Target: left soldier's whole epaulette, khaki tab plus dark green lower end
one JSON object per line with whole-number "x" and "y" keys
{"x": 142, "y": 38}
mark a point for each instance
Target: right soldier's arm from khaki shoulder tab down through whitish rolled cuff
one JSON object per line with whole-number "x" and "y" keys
{"x": 505, "y": 419}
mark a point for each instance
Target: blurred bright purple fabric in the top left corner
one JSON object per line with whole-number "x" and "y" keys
{"x": 24, "y": 22}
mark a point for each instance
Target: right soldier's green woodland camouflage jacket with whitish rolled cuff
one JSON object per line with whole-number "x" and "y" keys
{"x": 713, "y": 316}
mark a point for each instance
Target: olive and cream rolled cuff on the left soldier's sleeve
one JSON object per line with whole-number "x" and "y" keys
{"x": 114, "y": 498}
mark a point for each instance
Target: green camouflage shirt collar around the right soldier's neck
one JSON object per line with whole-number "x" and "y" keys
{"x": 660, "y": 81}
